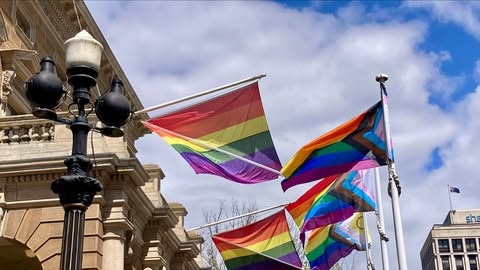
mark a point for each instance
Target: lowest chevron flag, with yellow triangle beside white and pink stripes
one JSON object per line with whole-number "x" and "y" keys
{"x": 326, "y": 245}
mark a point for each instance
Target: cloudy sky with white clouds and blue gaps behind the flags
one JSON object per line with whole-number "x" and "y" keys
{"x": 321, "y": 59}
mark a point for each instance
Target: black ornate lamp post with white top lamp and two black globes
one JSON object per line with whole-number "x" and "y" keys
{"x": 45, "y": 91}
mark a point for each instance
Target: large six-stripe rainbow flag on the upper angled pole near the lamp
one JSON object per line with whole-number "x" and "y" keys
{"x": 235, "y": 123}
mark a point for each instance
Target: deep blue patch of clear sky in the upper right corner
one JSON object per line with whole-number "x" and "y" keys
{"x": 442, "y": 35}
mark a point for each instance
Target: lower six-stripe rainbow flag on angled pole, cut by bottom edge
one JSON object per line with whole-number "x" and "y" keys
{"x": 265, "y": 244}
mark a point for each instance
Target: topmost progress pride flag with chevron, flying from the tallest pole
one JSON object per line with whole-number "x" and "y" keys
{"x": 357, "y": 144}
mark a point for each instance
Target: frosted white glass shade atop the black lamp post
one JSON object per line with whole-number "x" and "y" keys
{"x": 84, "y": 50}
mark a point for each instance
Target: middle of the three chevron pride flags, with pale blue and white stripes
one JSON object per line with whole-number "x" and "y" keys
{"x": 334, "y": 199}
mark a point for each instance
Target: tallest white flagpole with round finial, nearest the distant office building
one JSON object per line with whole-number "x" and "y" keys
{"x": 393, "y": 182}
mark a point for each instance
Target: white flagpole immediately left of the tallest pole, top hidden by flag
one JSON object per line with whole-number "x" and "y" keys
{"x": 381, "y": 222}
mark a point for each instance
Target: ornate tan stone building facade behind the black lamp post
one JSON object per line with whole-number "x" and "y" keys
{"x": 130, "y": 225}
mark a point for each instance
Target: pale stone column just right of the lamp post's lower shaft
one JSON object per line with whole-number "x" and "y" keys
{"x": 113, "y": 247}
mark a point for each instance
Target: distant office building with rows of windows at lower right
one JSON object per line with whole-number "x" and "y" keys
{"x": 453, "y": 245}
